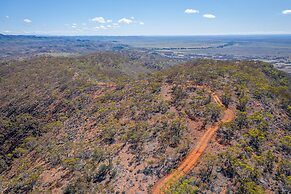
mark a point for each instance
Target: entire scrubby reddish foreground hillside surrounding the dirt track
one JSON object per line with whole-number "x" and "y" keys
{"x": 93, "y": 124}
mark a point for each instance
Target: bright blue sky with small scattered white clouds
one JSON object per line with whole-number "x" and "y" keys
{"x": 145, "y": 17}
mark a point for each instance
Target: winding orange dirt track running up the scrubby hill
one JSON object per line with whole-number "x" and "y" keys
{"x": 191, "y": 160}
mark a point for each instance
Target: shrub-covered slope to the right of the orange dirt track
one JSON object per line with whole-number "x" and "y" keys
{"x": 250, "y": 154}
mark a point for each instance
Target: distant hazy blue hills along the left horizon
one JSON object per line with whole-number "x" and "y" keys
{"x": 19, "y": 46}
